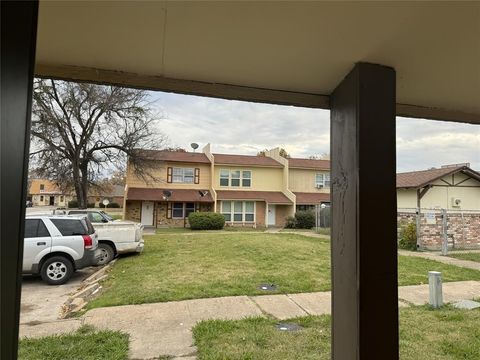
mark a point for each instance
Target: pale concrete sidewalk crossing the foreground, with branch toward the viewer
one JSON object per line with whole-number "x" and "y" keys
{"x": 166, "y": 328}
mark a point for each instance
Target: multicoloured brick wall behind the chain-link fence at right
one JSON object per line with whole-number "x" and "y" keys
{"x": 463, "y": 229}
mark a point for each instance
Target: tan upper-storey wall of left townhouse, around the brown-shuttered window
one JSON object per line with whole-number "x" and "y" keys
{"x": 159, "y": 171}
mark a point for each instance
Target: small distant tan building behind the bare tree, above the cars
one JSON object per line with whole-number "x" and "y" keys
{"x": 44, "y": 192}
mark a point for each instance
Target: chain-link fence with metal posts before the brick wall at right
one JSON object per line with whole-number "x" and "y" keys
{"x": 442, "y": 229}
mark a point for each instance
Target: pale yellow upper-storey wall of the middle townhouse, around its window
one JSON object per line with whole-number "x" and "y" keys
{"x": 263, "y": 179}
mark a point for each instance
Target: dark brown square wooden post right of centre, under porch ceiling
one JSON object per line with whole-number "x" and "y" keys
{"x": 364, "y": 246}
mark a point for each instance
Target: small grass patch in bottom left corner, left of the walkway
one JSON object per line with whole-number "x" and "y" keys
{"x": 83, "y": 344}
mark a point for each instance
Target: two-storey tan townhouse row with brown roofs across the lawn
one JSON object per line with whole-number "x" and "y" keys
{"x": 247, "y": 190}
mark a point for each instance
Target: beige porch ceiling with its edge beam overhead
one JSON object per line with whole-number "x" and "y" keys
{"x": 290, "y": 52}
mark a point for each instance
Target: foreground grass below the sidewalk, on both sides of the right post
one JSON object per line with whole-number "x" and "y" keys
{"x": 446, "y": 334}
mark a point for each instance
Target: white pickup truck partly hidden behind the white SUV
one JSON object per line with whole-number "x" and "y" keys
{"x": 114, "y": 236}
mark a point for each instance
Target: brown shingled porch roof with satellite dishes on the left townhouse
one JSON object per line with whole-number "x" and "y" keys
{"x": 177, "y": 195}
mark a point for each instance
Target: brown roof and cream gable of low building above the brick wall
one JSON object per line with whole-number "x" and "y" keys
{"x": 451, "y": 187}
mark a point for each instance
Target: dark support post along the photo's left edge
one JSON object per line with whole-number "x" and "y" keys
{"x": 19, "y": 28}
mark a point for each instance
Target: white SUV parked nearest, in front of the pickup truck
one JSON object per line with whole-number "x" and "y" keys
{"x": 56, "y": 246}
